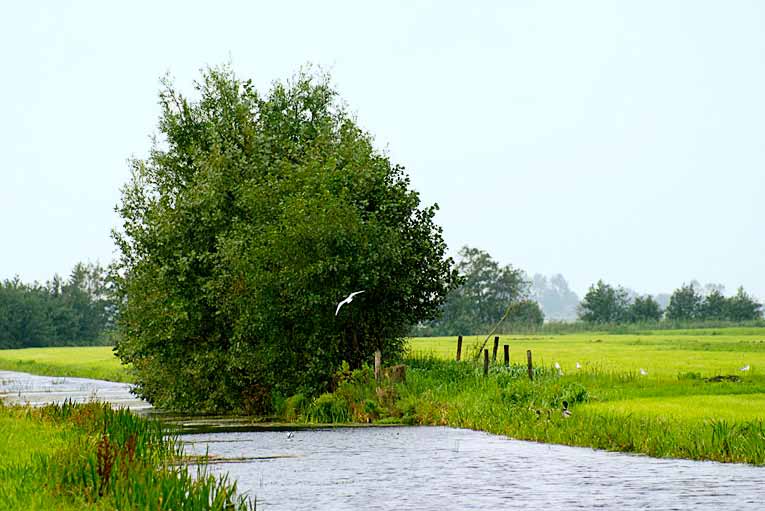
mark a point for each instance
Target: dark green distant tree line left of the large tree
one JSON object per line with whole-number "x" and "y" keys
{"x": 60, "y": 312}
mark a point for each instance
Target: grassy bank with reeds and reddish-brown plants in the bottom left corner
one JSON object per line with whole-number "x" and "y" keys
{"x": 72, "y": 457}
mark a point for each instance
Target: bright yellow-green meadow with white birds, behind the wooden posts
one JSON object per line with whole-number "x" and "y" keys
{"x": 677, "y": 363}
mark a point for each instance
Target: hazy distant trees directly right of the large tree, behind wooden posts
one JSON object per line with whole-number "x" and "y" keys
{"x": 488, "y": 292}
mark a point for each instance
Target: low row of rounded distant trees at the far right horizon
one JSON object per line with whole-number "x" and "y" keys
{"x": 607, "y": 304}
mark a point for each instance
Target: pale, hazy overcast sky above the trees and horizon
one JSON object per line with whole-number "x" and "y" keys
{"x": 613, "y": 140}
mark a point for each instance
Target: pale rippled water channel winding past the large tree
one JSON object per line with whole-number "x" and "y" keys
{"x": 430, "y": 468}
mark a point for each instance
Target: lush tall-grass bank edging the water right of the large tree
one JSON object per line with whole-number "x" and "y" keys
{"x": 505, "y": 402}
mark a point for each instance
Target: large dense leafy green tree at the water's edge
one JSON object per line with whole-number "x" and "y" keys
{"x": 253, "y": 216}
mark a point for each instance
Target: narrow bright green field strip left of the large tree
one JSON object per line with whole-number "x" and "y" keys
{"x": 96, "y": 362}
